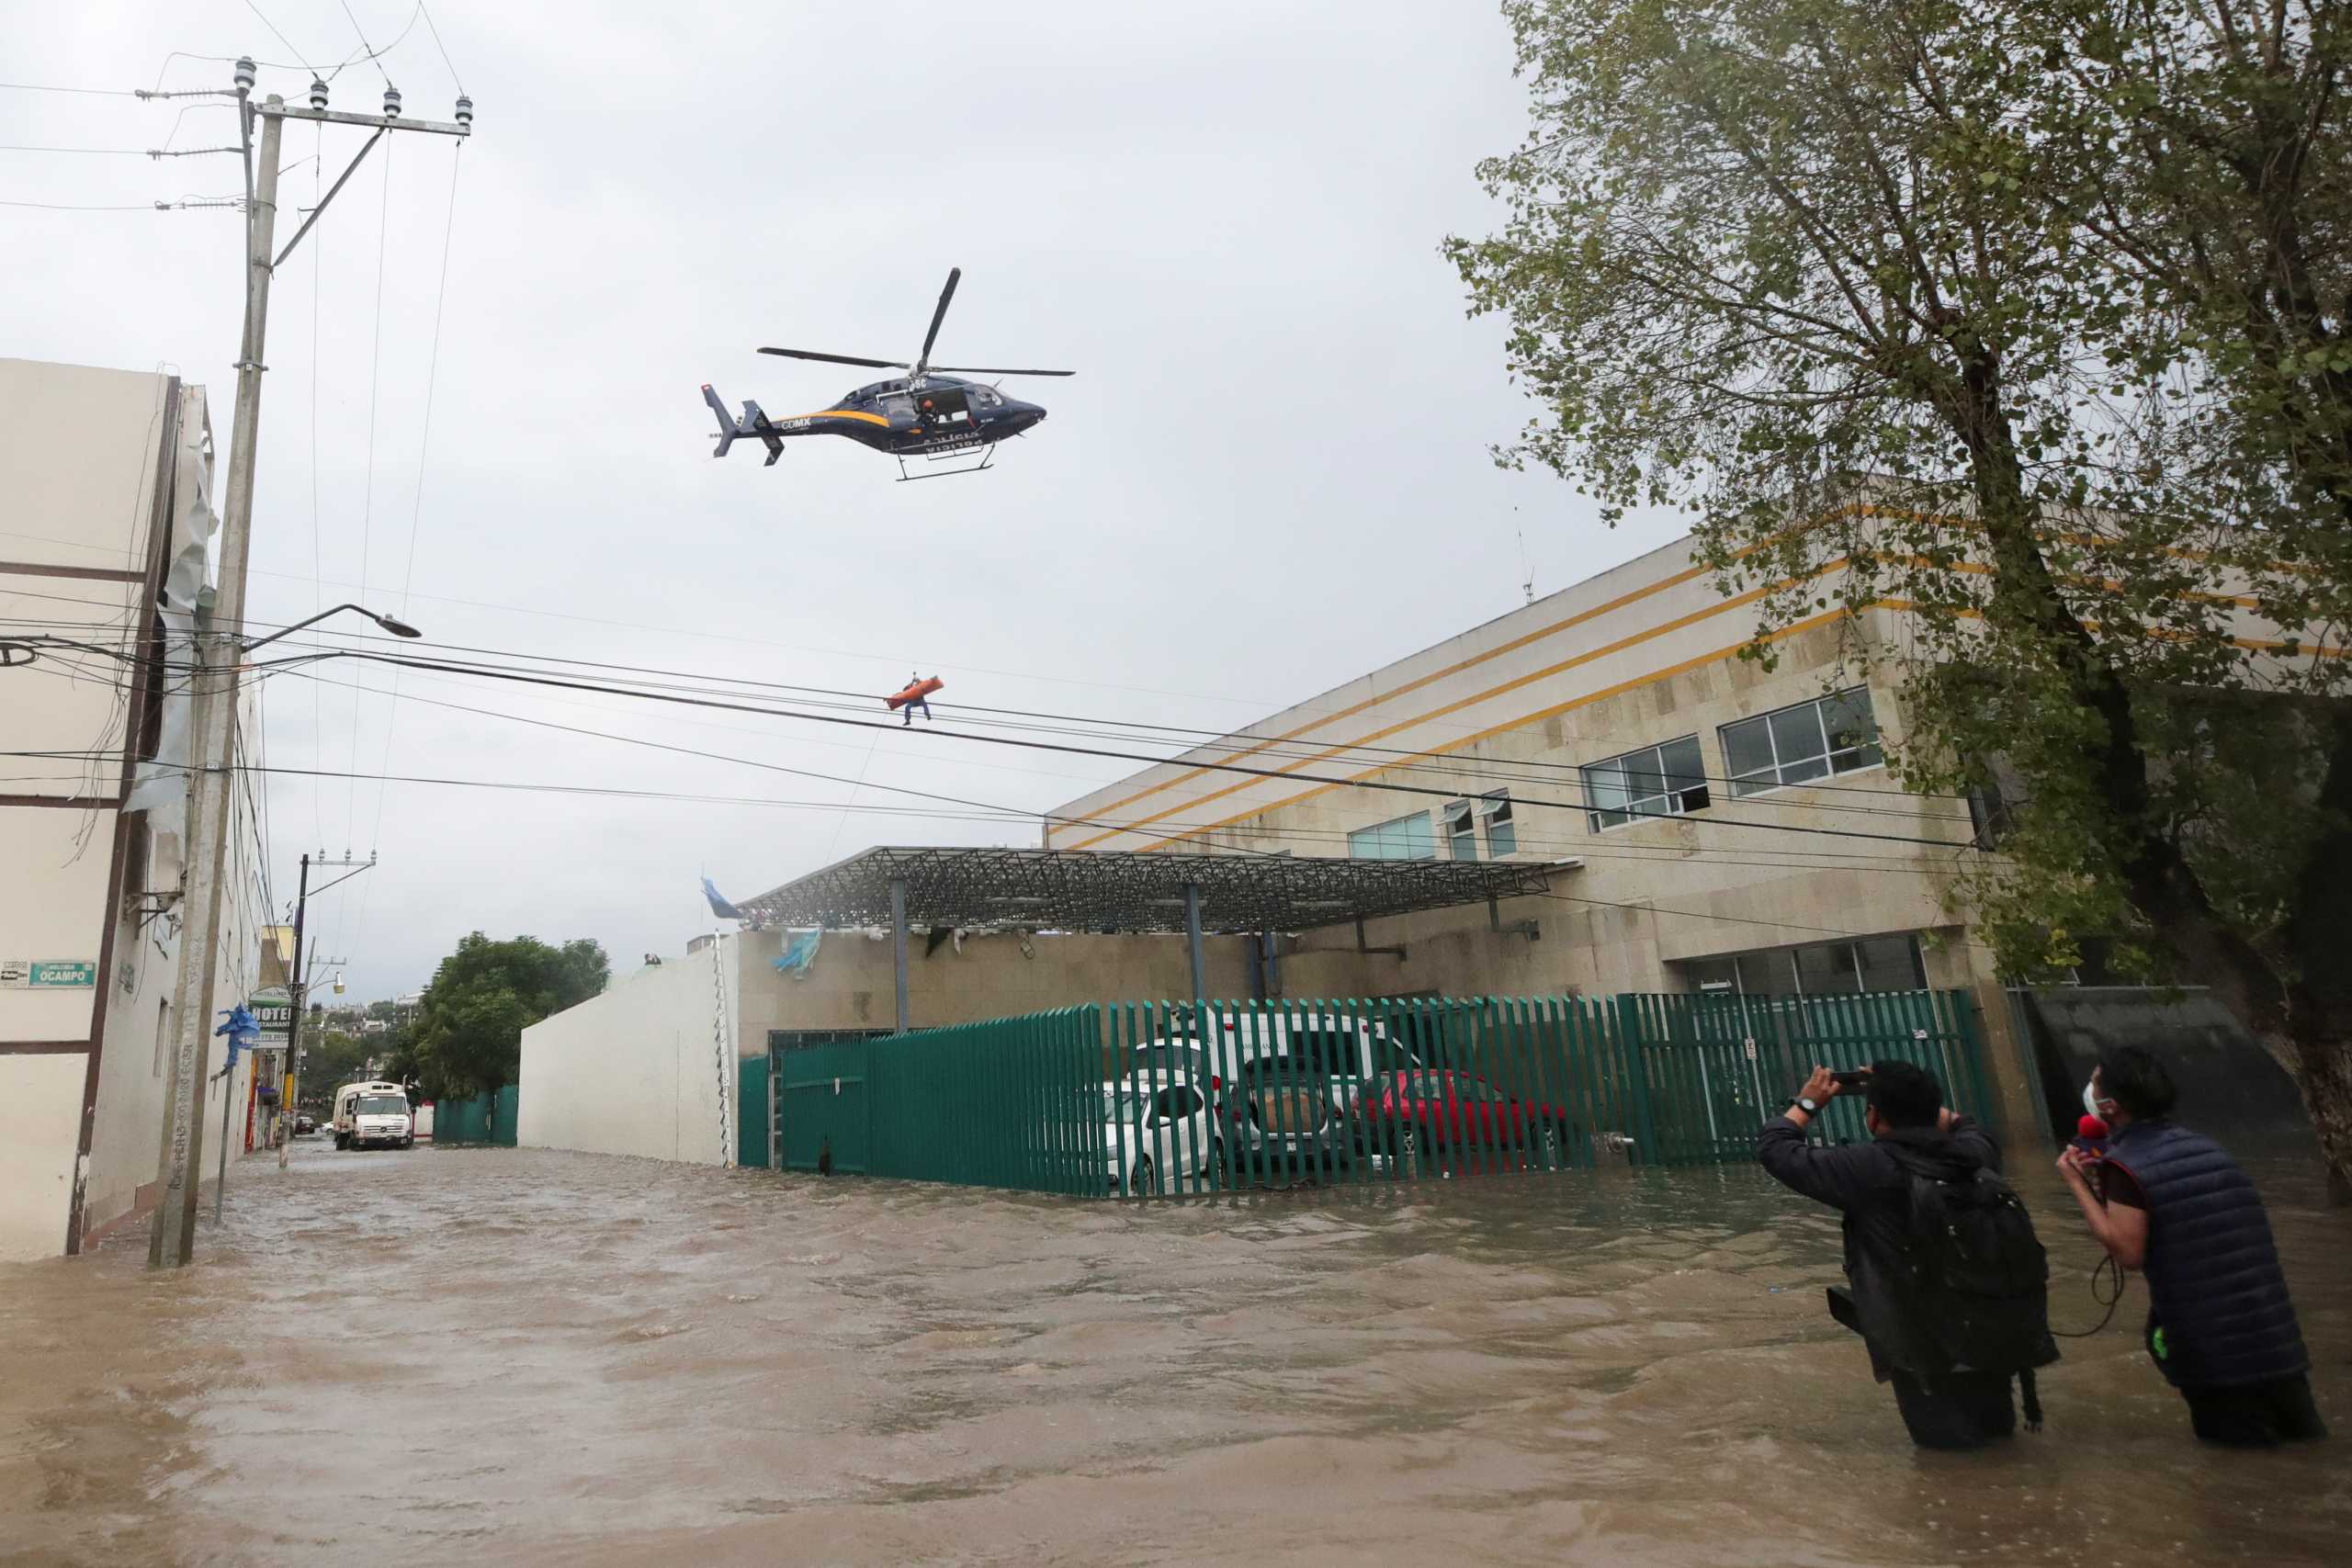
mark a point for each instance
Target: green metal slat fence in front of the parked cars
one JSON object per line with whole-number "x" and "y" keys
{"x": 1180, "y": 1099}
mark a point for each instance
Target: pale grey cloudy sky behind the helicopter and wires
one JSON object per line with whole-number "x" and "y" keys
{"x": 1269, "y": 476}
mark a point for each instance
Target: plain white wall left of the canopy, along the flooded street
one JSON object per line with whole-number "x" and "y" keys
{"x": 634, "y": 1071}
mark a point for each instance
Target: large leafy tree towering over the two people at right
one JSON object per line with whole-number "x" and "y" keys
{"x": 2022, "y": 319}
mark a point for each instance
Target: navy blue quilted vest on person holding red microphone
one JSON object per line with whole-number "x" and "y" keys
{"x": 2214, "y": 1275}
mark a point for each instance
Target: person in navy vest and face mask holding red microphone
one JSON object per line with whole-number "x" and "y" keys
{"x": 2181, "y": 1212}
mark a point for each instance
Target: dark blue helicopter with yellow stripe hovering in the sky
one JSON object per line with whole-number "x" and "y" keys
{"x": 928, "y": 413}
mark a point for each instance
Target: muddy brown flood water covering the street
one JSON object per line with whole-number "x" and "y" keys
{"x": 530, "y": 1358}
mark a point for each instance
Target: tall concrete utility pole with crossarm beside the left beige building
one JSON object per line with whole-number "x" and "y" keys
{"x": 220, "y": 655}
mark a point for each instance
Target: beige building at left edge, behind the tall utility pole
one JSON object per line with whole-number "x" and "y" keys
{"x": 105, "y": 514}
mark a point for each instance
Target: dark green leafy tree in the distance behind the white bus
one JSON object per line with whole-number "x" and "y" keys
{"x": 472, "y": 1019}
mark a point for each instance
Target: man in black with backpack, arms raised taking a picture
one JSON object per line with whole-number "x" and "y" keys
{"x": 1949, "y": 1282}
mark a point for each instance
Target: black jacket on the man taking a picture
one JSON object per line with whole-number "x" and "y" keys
{"x": 1866, "y": 1186}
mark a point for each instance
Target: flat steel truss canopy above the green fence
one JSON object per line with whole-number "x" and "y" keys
{"x": 1104, "y": 892}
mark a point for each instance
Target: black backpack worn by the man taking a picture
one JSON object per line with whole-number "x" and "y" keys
{"x": 1979, "y": 1273}
